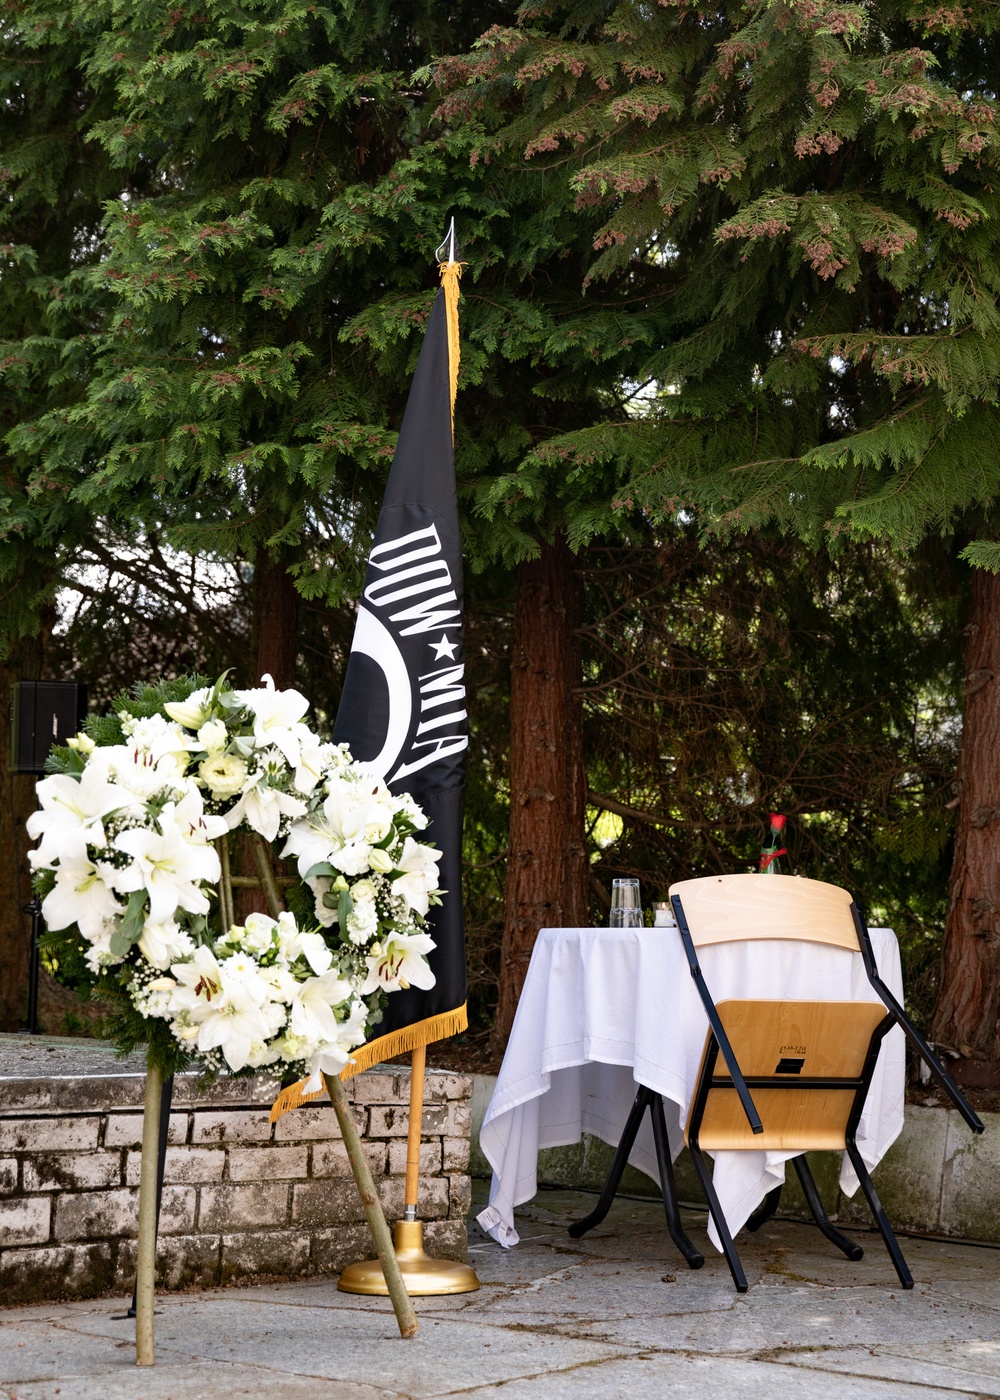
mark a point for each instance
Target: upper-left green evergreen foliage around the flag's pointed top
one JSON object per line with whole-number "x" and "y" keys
{"x": 225, "y": 362}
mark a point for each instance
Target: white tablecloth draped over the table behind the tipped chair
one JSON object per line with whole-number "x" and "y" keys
{"x": 604, "y": 1010}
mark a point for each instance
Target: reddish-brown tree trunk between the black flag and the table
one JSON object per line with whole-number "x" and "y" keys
{"x": 547, "y": 866}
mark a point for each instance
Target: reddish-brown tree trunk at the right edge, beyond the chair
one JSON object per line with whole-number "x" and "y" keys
{"x": 968, "y": 1006}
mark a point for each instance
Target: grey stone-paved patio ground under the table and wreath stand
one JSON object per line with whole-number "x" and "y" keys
{"x": 613, "y": 1315}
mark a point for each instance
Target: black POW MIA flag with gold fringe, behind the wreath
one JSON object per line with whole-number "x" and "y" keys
{"x": 404, "y": 696}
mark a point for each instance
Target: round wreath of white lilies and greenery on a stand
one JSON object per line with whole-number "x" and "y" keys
{"x": 130, "y": 877}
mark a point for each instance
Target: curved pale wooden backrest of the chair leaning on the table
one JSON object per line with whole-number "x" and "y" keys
{"x": 723, "y": 909}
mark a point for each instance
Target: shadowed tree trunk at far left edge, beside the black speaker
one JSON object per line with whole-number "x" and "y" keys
{"x": 18, "y": 803}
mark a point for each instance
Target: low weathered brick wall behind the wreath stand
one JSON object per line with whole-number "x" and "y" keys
{"x": 242, "y": 1196}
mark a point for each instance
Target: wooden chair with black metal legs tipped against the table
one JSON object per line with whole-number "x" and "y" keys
{"x": 810, "y": 1100}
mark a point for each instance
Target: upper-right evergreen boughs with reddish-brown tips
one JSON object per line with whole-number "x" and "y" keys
{"x": 813, "y": 188}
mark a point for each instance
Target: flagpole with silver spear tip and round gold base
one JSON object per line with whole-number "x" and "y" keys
{"x": 425, "y": 1276}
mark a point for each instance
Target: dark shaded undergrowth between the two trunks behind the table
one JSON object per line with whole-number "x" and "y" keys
{"x": 778, "y": 680}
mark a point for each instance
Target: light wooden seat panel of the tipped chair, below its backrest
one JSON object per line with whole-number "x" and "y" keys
{"x": 788, "y": 1044}
